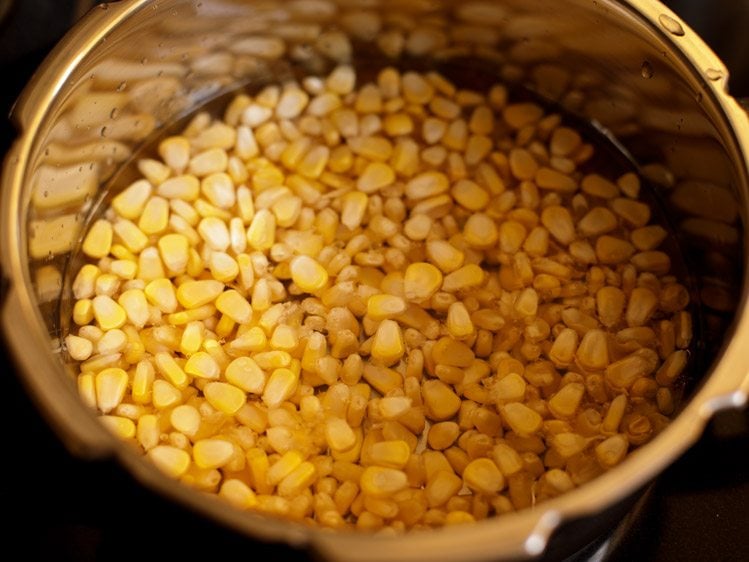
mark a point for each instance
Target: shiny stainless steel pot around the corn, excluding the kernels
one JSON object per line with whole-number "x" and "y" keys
{"x": 630, "y": 66}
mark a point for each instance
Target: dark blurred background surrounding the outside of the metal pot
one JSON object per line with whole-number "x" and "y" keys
{"x": 58, "y": 508}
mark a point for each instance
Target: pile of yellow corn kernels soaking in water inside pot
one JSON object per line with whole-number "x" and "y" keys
{"x": 392, "y": 307}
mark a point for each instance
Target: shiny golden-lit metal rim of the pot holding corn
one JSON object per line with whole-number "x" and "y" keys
{"x": 522, "y": 534}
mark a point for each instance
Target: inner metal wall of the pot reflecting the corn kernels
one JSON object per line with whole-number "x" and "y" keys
{"x": 597, "y": 61}
